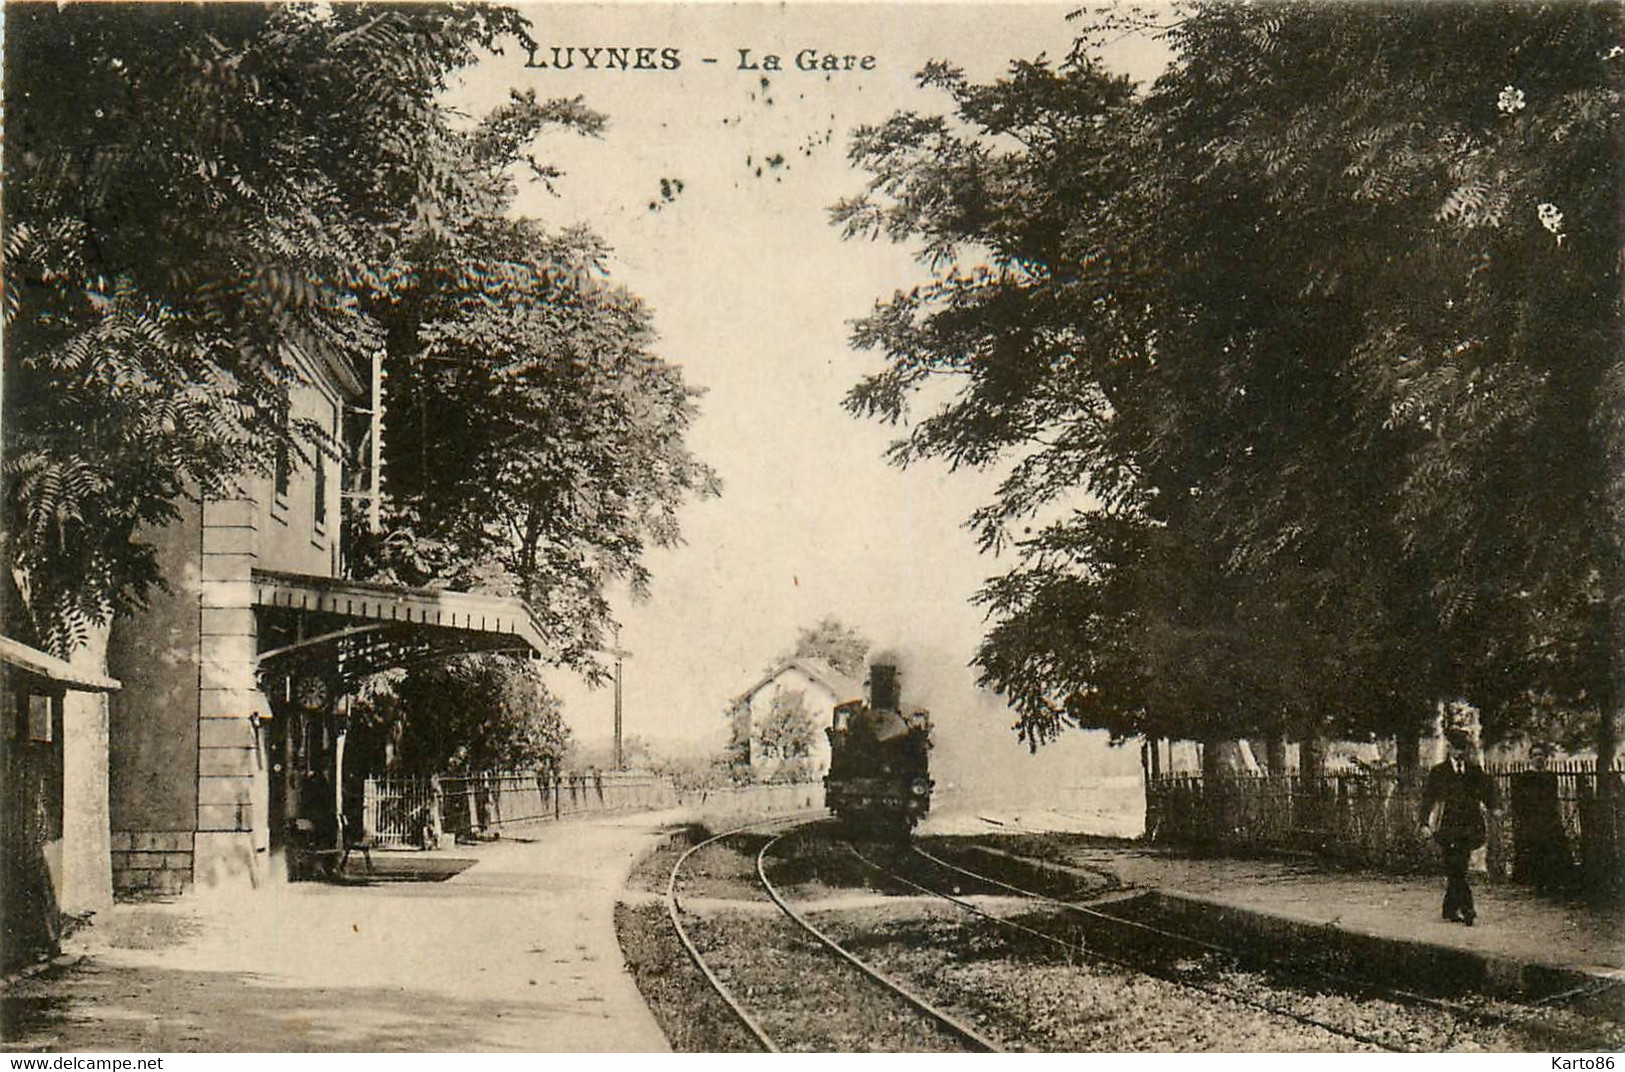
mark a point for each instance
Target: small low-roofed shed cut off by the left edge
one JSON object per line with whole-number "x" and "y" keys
{"x": 54, "y": 816}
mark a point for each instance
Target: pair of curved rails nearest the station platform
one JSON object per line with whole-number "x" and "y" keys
{"x": 948, "y": 1024}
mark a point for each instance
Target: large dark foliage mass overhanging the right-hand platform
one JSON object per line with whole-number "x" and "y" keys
{"x": 1302, "y": 363}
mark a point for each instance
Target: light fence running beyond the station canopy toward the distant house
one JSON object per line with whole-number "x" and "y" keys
{"x": 404, "y": 813}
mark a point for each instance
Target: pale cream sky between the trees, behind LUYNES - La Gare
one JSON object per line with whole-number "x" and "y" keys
{"x": 753, "y": 293}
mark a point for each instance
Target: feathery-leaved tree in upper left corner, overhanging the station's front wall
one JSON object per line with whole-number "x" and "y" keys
{"x": 193, "y": 192}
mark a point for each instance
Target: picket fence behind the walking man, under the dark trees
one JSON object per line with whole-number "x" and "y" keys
{"x": 1561, "y": 826}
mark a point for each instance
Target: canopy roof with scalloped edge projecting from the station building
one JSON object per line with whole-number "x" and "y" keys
{"x": 363, "y": 629}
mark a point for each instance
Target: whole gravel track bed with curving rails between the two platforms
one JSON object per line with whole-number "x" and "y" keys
{"x": 756, "y": 951}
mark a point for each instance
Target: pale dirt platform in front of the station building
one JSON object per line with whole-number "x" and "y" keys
{"x": 516, "y": 951}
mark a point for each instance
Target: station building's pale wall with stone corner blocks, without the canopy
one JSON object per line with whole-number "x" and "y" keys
{"x": 189, "y": 767}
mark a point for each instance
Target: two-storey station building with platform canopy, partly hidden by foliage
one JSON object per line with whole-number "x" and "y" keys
{"x": 227, "y": 740}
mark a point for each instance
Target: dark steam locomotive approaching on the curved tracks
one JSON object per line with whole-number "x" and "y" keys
{"x": 880, "y": 771}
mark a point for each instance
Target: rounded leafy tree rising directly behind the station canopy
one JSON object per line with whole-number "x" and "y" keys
{"x": 539, "y": 446}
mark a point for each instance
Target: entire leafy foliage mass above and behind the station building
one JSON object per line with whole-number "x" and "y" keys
{"x": 194, "y": 192}
